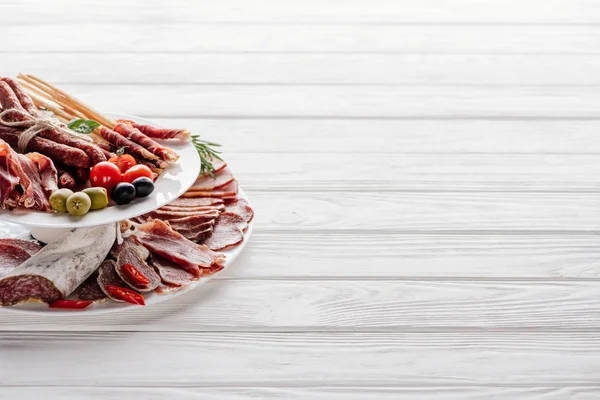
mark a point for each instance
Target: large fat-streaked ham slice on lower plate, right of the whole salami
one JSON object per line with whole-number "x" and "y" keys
{"x": 161, "y": 239}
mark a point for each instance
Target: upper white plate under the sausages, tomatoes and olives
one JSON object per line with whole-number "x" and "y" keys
{"x": 172, "y": 183}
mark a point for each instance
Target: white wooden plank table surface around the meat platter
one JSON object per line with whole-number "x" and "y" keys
{"x": 426, "y": 177}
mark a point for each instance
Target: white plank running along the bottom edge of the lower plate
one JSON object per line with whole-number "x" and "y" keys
{"x": 280, "y": 305}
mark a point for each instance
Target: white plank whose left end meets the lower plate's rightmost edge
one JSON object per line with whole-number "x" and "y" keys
{"x": 408, "y": 212}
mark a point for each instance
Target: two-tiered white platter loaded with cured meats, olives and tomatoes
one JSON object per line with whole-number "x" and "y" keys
{"x": 150, "y": 212}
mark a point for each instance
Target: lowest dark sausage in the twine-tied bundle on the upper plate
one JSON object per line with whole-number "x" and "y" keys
{"x": 56, "y": 151}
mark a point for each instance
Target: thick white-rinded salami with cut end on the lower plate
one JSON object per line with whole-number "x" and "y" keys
{"x": 59, "y": 268}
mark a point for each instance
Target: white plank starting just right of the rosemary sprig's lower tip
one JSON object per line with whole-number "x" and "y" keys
{"x": 281, "y": 171}
